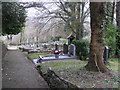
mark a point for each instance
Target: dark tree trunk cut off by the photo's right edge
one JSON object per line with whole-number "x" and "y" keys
{"x": 118, "y": 29}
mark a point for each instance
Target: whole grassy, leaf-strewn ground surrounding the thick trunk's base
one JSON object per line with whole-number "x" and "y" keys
{"x": 73, "y": 71}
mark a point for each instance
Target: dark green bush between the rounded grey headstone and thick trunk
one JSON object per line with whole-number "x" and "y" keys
{"x": 81, "y": 48}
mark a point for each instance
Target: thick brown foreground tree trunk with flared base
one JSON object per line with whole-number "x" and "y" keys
{"x": 95, "y": 62}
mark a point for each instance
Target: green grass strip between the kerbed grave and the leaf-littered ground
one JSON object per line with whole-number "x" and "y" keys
{"x": 62, "y": 64}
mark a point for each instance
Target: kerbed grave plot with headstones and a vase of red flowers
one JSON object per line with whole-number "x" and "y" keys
{"x": 70, "y": 53}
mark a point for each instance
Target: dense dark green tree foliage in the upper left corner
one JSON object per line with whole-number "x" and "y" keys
{"x": 13, "y": 18}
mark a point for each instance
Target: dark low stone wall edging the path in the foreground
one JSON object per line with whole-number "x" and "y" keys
{"x": 55, "y": 81}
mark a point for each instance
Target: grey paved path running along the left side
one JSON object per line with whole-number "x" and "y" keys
{"x": 19, "y": 72}
